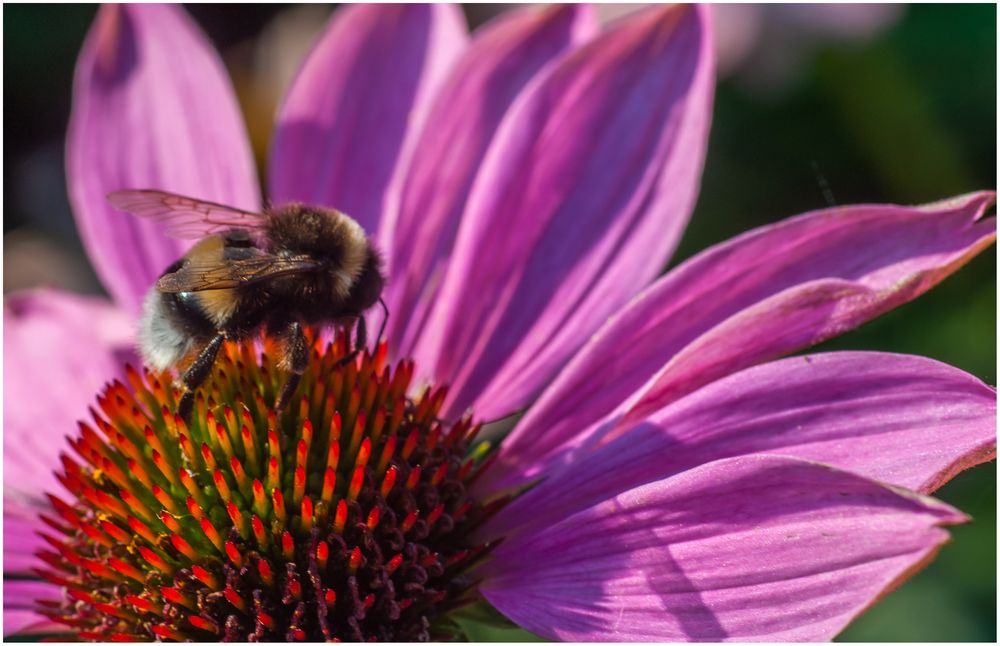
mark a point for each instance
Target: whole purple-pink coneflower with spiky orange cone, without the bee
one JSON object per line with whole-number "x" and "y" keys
{"x": 673, "y": 478}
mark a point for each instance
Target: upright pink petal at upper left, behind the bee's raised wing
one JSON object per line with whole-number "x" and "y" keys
{"x": 152, "y": 108}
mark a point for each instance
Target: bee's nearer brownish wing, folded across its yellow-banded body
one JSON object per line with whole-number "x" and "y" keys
{"x": 226, "y": 274}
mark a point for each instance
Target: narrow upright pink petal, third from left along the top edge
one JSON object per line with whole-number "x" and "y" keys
{"x": 506, "y": 54}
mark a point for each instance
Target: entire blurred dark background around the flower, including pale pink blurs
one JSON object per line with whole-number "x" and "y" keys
{"x": 816, "y": 105}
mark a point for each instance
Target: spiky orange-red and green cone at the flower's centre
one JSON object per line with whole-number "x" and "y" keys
{"x": 344, "y": 518}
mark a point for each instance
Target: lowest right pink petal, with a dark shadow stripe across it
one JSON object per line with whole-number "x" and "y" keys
{"x": 758, "y": 548}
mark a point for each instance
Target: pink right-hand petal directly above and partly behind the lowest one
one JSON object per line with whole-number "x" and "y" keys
{"x": 906, "y": 420}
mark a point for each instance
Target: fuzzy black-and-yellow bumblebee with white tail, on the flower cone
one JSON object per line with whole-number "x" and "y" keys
{"x": 278, "y": 271}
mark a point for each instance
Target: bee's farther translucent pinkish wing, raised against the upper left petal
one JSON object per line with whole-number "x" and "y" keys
{"x": 185, "y": 217}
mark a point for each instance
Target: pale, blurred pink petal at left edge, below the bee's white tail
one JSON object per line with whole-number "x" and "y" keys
{"x": 59, "y": 350}
